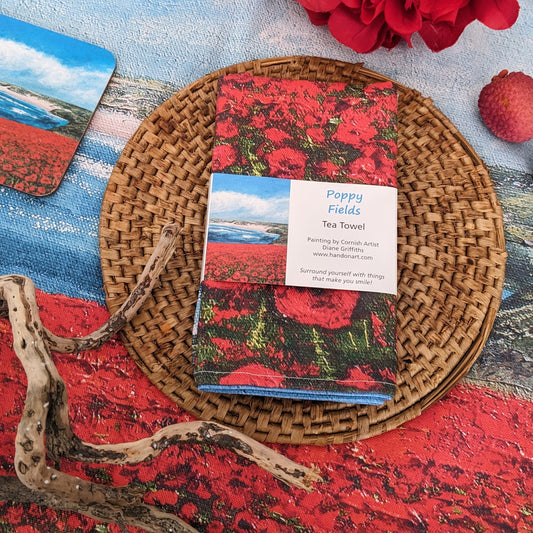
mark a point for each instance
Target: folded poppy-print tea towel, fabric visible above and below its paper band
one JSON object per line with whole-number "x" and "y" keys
{"x": 297, "y": 342}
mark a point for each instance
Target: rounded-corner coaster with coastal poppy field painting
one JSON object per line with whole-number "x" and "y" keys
{"x": 50, "y": 86}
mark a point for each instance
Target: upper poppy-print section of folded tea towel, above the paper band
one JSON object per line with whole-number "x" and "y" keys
{"x": 294, "y": 128}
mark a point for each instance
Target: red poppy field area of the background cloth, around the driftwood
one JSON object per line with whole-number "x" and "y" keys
{"x": 463, "y": 465}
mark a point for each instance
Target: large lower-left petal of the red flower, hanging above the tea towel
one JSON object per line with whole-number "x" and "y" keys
{"x": 346, "y": 26}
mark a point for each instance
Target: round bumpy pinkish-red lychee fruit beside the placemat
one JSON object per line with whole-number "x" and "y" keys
{"x": 506, "y": 106}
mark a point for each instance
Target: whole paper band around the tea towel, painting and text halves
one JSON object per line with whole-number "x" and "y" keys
{"x": 338, "y": 235}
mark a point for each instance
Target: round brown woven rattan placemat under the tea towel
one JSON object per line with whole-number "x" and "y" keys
{"x": 451, "y": 258}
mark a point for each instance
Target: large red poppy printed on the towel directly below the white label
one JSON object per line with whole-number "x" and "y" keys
{"x": 316, "y": 307}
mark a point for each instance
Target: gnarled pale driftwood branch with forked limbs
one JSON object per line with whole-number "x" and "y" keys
{"x": 45, "y": 430}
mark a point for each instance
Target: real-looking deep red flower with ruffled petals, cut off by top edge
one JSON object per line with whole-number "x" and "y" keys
{"x": 365, "y": 25}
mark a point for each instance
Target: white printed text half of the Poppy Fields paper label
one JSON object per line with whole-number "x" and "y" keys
{"x": 342, "y": 236}
